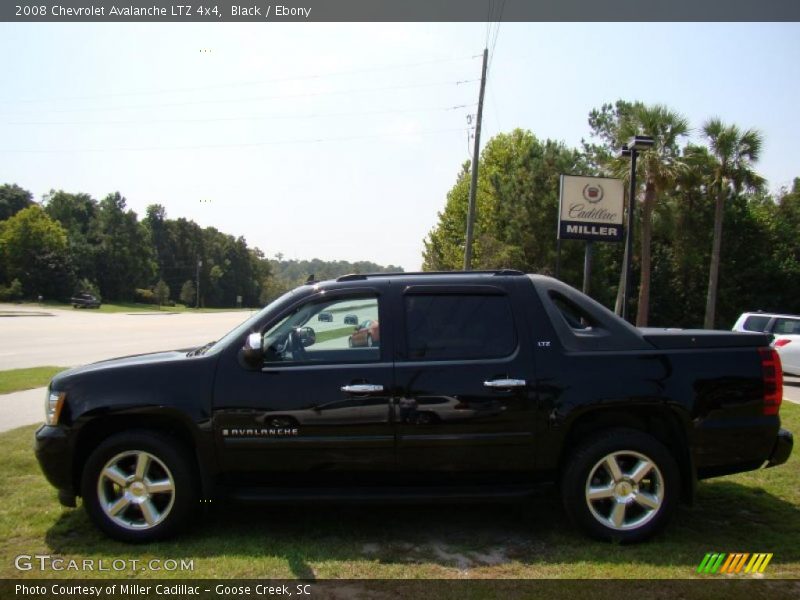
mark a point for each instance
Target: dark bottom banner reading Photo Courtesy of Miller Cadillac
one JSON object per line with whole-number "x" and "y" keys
{"x": 510, "y": 589}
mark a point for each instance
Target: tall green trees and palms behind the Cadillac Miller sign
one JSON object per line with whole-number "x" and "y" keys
{"x": 711, "y": 241}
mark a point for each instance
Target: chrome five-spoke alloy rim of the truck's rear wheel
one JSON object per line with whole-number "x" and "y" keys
{"x": 624, "y": 490}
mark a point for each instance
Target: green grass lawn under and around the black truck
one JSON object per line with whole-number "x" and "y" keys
{"x": 749, "y": 512}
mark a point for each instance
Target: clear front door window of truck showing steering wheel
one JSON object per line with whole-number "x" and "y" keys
{"x": 343, "y": 330}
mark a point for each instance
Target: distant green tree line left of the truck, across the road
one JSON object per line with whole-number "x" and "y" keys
{"x": 71, "y": 242}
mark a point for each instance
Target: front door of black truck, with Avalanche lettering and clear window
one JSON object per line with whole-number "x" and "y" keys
{"x": 319, "y": 403}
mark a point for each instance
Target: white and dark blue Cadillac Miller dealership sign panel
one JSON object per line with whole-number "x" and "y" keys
{"x": 590, "y": 208}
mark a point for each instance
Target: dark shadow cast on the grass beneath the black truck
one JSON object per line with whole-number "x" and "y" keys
{"x": 727, "y": 517}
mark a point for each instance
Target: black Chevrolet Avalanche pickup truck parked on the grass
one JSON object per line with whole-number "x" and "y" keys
{"x": 477, "y": 385}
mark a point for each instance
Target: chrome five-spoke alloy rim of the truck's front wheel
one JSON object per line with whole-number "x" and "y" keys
{"x": 136, "y": 490}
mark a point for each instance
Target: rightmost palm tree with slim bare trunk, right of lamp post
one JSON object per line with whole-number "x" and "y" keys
{"x": 735, "y": 152}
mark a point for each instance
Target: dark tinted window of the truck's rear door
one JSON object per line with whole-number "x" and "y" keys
{"x": 448, "y": 327}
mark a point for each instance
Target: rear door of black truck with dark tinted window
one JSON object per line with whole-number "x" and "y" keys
{"x": 464, "y": 383}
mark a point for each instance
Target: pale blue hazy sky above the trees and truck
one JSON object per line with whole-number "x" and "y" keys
{"x": 340, "y": 141}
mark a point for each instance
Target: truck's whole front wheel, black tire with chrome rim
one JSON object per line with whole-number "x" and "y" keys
{"x": 166, "y": 461}
